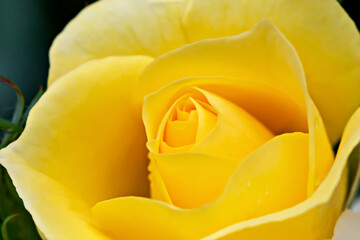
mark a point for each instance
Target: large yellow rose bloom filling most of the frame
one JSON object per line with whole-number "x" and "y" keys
{"x": 199, "y": 119}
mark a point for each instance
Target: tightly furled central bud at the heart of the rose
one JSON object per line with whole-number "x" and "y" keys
{"x": 211, "y": 136}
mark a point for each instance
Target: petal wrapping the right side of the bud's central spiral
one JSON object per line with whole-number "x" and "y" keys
{"x": 237, "y": 133}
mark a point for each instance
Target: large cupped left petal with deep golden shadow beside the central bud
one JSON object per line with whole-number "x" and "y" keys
{"x": 82, "y": 144}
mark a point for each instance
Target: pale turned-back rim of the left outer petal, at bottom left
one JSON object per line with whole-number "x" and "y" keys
{"x": 57, "y": 211}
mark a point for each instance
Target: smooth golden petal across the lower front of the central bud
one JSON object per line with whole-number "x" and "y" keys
{"x": 191, "y": 179}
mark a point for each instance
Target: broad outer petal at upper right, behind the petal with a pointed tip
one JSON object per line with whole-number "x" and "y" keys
{"x": 325, "y": 37}
